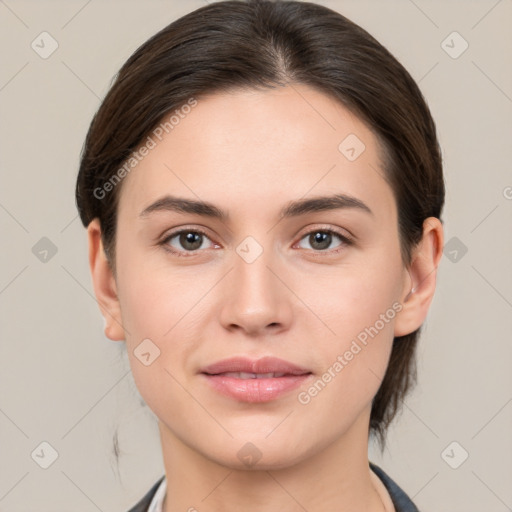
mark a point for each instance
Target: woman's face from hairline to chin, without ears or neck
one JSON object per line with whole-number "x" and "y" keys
{"x": 318, "y": 288}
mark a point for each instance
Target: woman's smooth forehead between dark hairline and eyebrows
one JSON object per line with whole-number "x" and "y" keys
{"x": 252, "y": 149}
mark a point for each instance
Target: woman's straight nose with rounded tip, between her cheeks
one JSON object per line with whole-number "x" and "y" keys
{"x": 255, "y": 298}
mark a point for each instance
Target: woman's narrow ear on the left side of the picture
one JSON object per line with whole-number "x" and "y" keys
{"x": 104, "y": 283}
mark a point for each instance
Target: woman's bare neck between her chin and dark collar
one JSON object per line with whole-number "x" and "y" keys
{"x": 336, "y": 477}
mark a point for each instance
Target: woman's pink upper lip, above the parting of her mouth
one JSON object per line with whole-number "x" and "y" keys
{"x": 247, "y": 365}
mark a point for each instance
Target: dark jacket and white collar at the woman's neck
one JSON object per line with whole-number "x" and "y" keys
{"x": 152, "y": 501}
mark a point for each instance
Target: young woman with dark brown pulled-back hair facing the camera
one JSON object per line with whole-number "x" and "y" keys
{"x": 262, "y": 190}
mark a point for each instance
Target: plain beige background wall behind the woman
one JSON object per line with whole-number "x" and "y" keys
{"x": 64, "y": 382}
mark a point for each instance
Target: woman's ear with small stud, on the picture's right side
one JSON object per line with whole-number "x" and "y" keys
{"x": 420, "y": 284}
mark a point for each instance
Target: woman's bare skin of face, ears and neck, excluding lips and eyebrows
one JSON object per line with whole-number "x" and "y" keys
{"x": 250, "y": 153}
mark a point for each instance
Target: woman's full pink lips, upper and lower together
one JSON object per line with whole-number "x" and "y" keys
{"x": 255, "y": 389}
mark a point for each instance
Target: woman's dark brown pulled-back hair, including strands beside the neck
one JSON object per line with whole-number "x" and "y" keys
{"x": 263, "y": 44}
